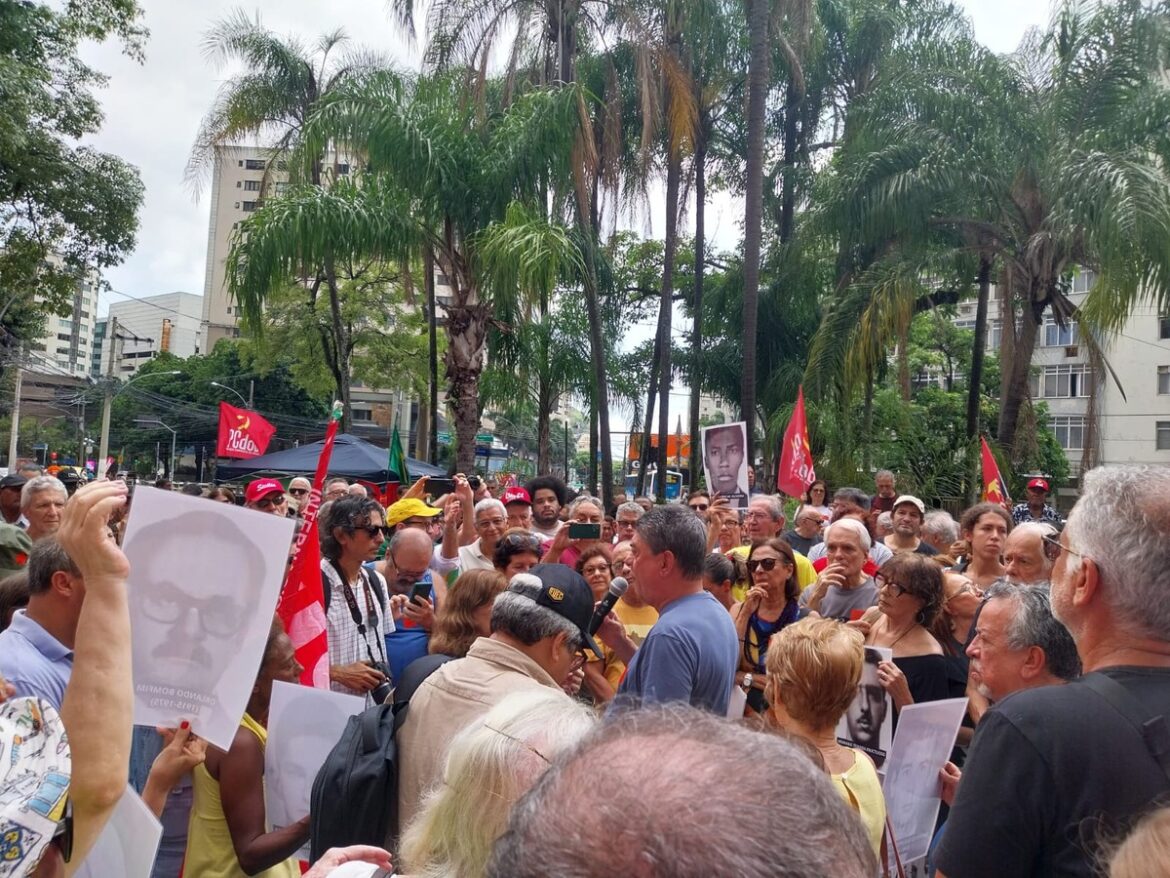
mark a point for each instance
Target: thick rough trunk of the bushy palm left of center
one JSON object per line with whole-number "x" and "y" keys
{"x": 467, "y": 339}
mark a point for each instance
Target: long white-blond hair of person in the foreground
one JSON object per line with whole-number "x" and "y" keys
{"x": 490, "y": 766}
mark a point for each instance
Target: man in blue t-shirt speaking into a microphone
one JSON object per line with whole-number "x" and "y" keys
{"x": 692, "y": 653}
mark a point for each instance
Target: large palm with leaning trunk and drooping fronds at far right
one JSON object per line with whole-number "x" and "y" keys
{"x": 1037, "y": 163}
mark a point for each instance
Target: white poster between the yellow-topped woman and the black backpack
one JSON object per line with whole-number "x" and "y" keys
{"x": 304, "y": 726}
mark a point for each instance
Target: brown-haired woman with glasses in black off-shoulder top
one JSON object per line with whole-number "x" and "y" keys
{"x": 910, "y": 598}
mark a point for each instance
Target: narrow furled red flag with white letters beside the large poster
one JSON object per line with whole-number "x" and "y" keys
{"x": 302, "y": 606}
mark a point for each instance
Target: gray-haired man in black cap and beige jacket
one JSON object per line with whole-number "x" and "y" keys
{"x": 540, "y": 628}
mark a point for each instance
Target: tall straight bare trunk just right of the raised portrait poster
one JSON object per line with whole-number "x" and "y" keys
{"x": 754, "y": 200}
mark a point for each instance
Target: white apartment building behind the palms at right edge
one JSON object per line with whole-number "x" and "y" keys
{"x": 1132, "y": 424}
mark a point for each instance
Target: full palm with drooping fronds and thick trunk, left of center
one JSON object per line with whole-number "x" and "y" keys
{"x": 437, "y": 176}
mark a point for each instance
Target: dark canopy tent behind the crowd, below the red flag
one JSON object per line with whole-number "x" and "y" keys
{"x": 353, "y": 458}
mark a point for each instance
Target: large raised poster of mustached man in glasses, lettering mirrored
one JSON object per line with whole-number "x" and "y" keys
{"x": 204, "y": 582}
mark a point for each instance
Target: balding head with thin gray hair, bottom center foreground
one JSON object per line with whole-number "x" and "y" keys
{"x": 669, "y": 790}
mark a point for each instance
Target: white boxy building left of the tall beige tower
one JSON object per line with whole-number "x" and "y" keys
{"x": 149, "y": 326}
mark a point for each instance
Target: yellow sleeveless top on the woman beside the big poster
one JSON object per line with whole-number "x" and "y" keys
{"x": 210, "y": 850}
